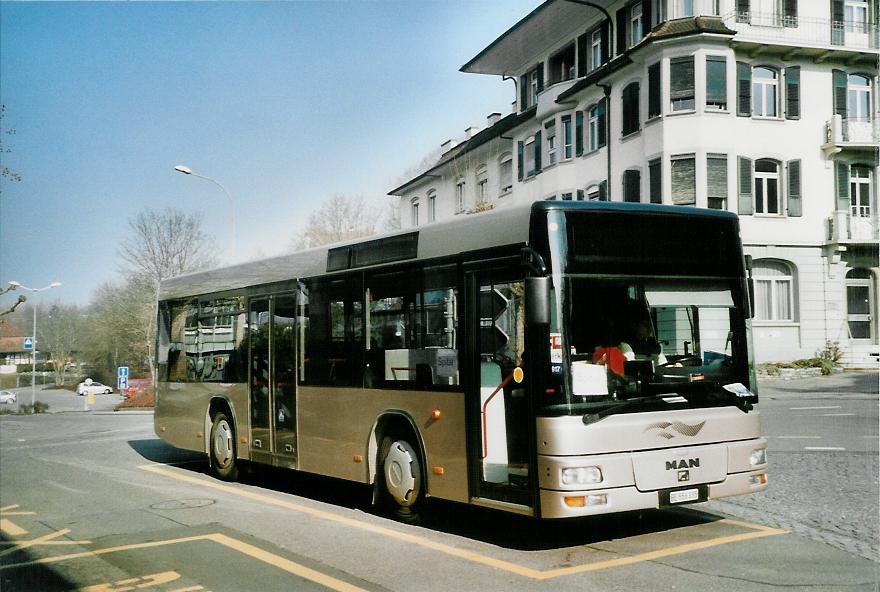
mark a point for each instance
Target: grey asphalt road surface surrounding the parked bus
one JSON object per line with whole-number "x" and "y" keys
{"x": 95, "y": 502}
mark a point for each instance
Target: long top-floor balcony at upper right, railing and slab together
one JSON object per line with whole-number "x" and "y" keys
{"x": 810, "y": 37}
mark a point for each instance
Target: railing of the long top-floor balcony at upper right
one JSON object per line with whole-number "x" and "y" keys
{"x": 788, "y": 30}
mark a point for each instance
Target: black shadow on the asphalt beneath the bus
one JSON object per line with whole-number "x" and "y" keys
{"x": 482, "y": 524}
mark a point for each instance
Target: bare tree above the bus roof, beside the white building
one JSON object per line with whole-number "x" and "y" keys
{"x": 341, "y": 218}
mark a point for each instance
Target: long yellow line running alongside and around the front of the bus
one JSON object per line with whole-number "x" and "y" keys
{"x": 757, "y": 531}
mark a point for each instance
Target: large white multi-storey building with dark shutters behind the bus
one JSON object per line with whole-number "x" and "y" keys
{"x": 767, "y": 108}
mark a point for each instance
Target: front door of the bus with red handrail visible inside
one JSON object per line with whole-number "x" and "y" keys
{"x": 499, "y": 401}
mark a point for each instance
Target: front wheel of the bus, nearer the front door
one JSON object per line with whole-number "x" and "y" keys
{"x": 401, "y": 479}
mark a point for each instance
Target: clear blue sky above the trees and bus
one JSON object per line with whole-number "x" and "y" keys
{"x": 285, "y": 104}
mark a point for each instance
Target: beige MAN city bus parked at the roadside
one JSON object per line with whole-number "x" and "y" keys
{"x": 558, "y": 359}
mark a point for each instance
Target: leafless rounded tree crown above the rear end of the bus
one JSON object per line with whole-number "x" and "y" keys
{"x": 165, "y": 244}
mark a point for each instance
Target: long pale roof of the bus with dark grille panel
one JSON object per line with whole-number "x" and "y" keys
{"x": 485, "y": 230}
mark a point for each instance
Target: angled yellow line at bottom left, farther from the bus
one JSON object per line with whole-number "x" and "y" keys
{"x": 228, "y": 542}
